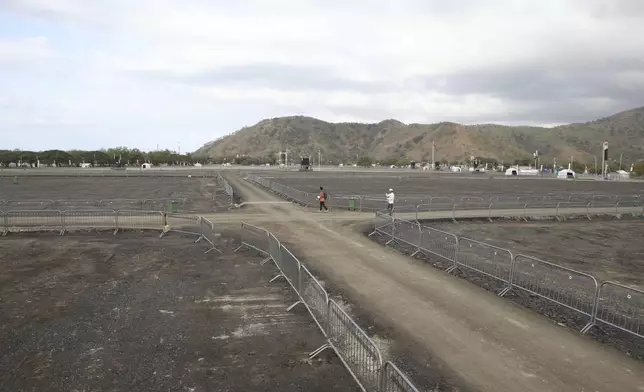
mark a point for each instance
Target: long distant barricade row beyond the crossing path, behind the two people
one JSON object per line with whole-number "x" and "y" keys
{"x": 456, "y": 203}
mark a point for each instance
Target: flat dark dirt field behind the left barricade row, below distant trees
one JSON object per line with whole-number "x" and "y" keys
{"x": 195, "y": 194}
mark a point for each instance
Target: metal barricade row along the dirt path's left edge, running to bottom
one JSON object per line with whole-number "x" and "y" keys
{"x": 356, "y": 350}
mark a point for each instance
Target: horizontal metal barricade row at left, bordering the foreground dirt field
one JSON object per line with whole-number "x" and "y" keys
{"x": 116, "y": 220}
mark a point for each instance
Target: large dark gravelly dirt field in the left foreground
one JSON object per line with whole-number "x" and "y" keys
{"x": 90, "y": 312}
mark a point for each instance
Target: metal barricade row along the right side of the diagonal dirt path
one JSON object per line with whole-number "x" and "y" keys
{"x": 609, "y": 303}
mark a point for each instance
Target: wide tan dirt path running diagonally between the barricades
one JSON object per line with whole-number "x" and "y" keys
{"x": 486, "y": 341}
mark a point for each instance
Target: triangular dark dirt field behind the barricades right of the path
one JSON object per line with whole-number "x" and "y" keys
{"x": 608, "y": 250}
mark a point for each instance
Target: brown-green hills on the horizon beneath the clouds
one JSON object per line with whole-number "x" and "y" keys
{"x": 391, "y": 139}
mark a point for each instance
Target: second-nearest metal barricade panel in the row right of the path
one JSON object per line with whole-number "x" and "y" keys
{"x": 564, "y": 286}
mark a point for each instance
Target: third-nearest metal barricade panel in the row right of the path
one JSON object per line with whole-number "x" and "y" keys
{"x": 486, "y": 259}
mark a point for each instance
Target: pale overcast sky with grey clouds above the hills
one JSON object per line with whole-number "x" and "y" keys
{"x": 100, "y": 73}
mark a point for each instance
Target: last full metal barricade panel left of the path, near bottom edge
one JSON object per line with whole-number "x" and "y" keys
{"x": 357, "y": 351}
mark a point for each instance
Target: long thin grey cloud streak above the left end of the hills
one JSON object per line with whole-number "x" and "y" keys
{"x": 279, "y": 76}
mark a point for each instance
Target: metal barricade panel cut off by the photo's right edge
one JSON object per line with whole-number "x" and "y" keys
{"x": 621, "y": 307}
